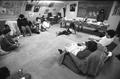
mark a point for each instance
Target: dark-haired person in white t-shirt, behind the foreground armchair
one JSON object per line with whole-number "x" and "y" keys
{"x": 106, "y": 40}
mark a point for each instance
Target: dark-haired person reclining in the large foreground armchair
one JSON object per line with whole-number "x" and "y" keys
{"x": 81, "y": 50}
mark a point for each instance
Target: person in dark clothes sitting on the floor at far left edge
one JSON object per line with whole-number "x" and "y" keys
{"x": 7, "y": 43}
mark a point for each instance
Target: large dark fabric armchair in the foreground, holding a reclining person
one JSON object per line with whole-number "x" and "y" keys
{"x": 90, "y": 65}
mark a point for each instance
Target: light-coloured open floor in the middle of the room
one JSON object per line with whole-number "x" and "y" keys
{"x": 38, "y": 55}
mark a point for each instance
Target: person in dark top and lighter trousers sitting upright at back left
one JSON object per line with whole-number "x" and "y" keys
{"x": 23, "y": 25}
